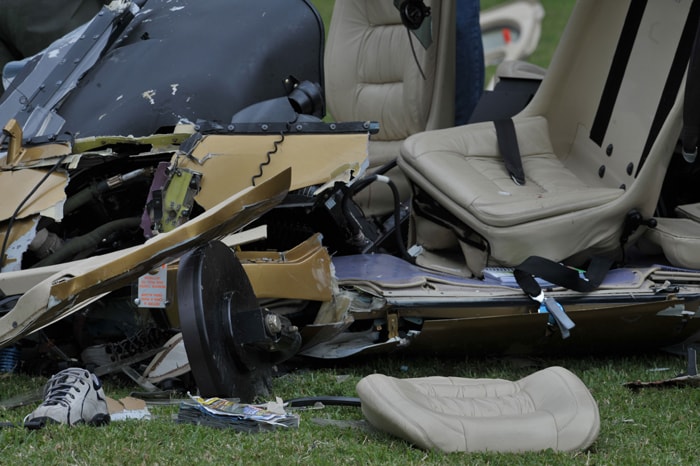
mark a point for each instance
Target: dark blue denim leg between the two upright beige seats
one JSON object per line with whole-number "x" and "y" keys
{"x": 469, "y": 60}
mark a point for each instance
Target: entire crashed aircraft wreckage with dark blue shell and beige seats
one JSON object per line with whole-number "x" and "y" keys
{"x": 191, "y": 193}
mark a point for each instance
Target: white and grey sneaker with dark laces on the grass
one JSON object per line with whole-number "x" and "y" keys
{"x": 72, "y": 396}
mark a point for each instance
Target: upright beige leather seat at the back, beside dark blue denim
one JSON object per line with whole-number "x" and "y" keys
{"x": 371, "y": 74}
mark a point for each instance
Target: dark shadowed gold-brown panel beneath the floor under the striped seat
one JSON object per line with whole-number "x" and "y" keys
{"x": 624, "y": 328}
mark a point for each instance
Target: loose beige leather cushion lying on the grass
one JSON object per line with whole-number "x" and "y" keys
{"x": 551, "y": 408}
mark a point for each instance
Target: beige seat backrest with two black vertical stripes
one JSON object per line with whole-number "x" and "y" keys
{"x": 609, "y": 94}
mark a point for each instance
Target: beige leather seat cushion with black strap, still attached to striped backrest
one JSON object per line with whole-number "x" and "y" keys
{"x": 554, "y": 215}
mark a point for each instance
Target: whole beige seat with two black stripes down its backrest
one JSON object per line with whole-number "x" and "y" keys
{"x": 595, "y": 142}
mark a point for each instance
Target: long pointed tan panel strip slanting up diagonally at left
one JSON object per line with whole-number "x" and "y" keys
{"x": 59, "y": 295}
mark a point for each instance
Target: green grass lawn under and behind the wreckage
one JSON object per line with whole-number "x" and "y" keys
{"x": 652, "y": 426}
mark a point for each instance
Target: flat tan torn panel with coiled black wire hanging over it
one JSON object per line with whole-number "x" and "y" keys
{"x": 229, "y": 163}
